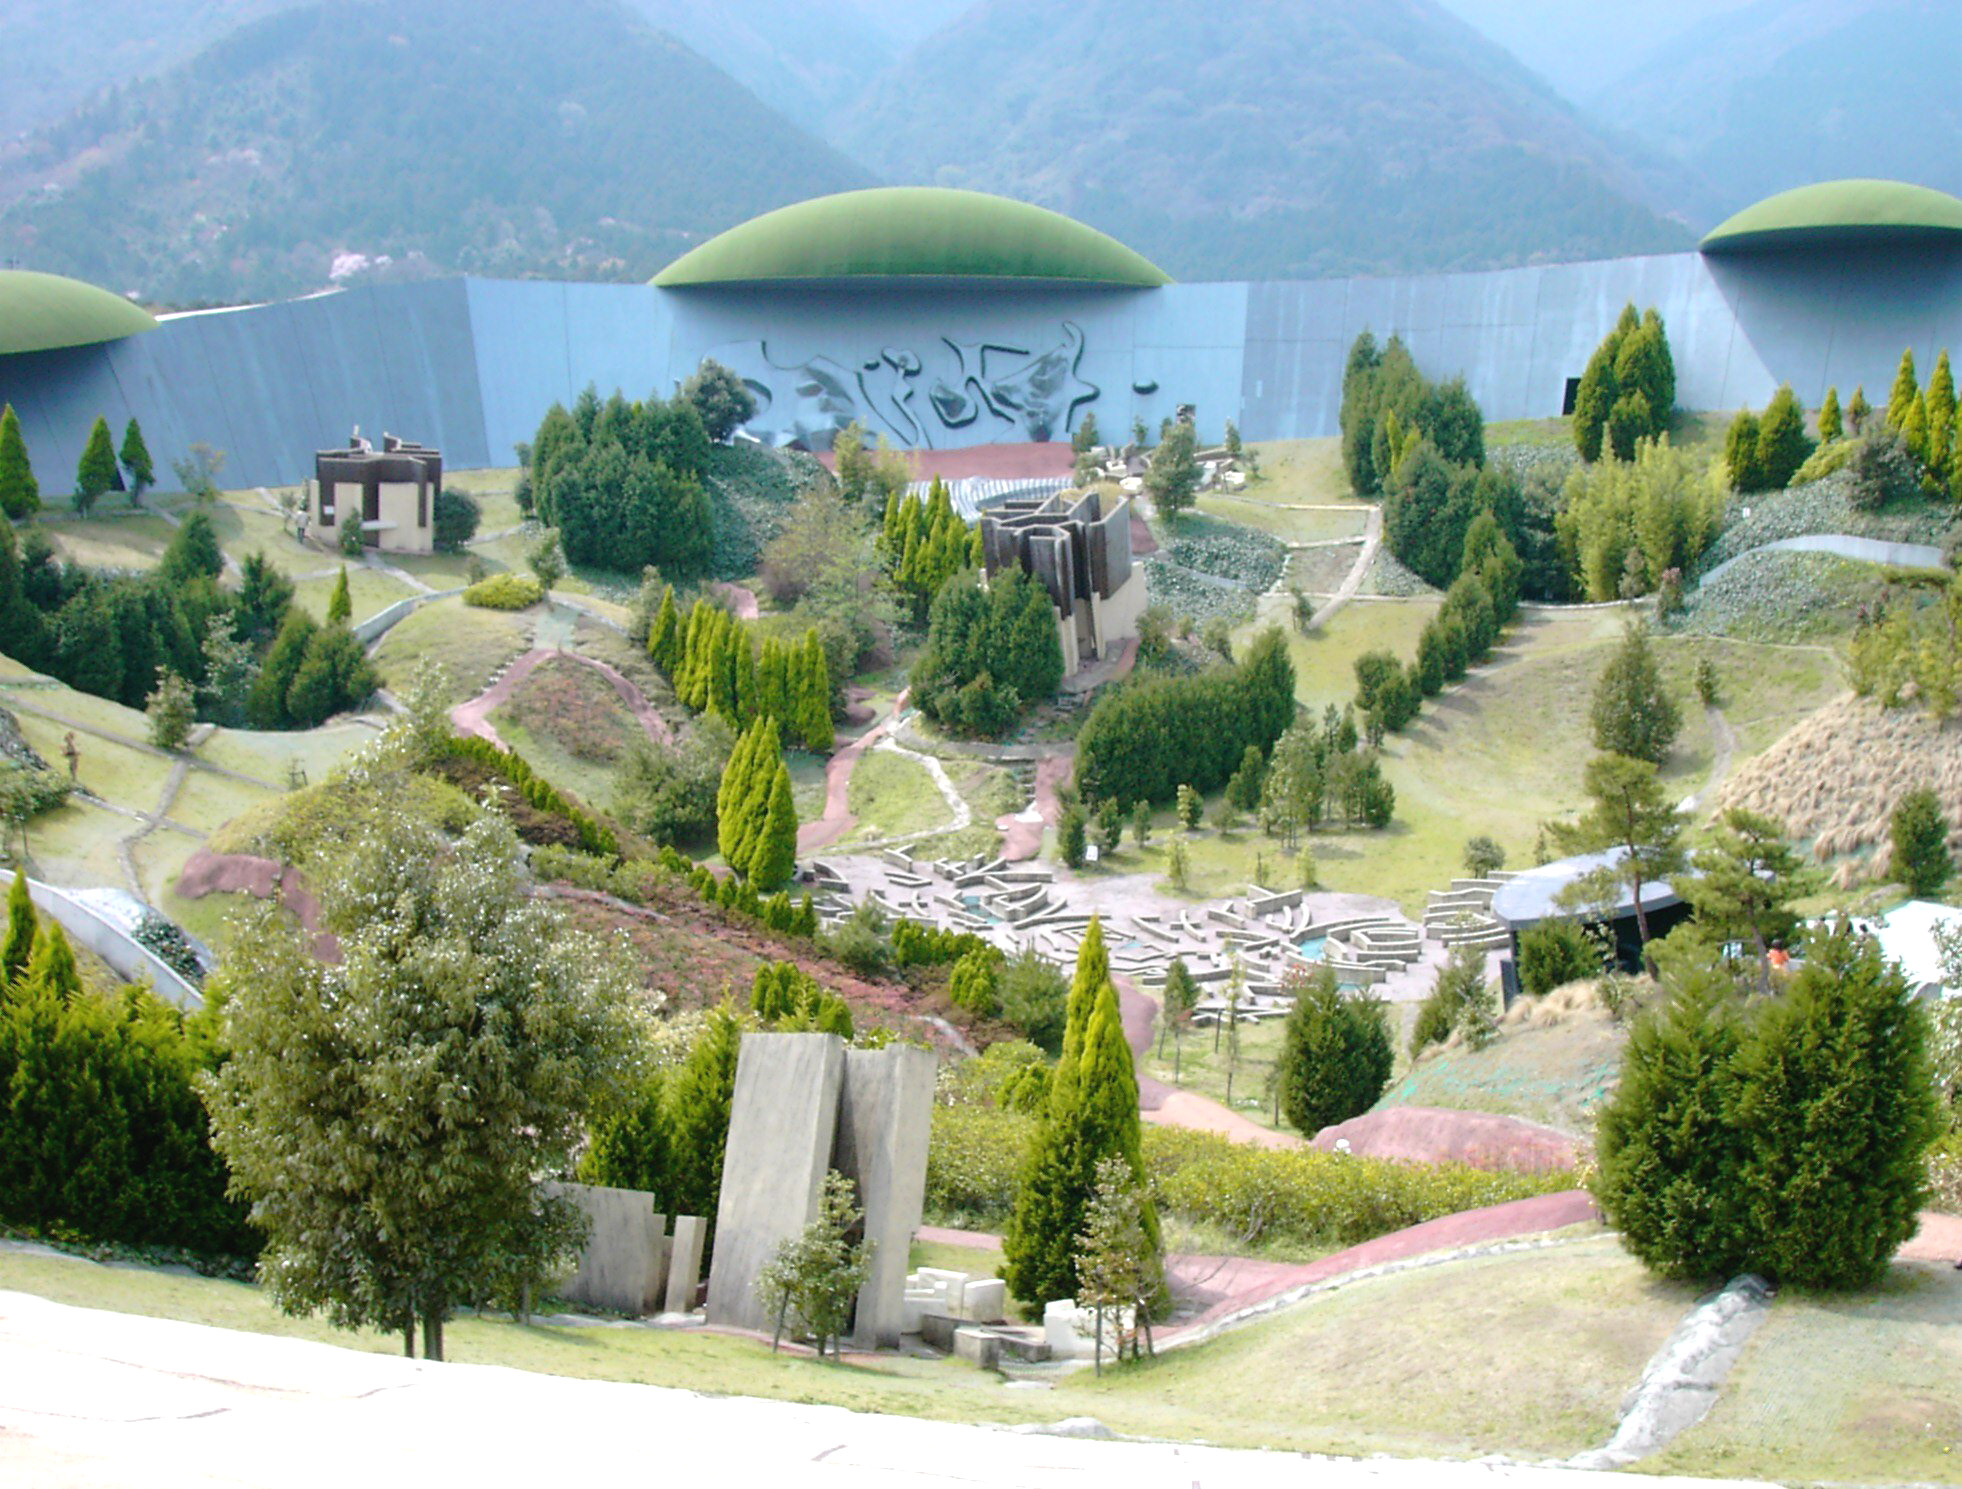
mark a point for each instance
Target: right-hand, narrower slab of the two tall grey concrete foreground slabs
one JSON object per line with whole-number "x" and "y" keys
{"x": 884, "y": 1119}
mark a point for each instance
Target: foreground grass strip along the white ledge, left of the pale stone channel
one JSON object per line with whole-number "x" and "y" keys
{"x": 1527, "y": 1357}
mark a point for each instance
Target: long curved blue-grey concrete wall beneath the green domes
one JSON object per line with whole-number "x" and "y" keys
{"x": 470, "y": 366}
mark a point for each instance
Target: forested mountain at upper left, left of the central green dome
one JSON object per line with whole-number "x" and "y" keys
{"x": 442, "y": 136}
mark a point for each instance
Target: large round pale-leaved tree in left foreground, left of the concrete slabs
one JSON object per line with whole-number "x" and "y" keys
{"x": 338, "y": 1105}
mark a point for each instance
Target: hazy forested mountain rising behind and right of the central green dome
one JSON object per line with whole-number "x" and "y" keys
{"x": 1268, "y": 142}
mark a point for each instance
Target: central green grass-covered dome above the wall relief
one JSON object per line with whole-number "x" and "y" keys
{"x": 911, "y": 232}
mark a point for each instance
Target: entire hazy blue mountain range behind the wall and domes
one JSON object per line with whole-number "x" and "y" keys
{"x": 215, "y": 150}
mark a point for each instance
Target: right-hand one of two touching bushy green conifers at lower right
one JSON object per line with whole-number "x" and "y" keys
{"x": 1837, "y": 1100}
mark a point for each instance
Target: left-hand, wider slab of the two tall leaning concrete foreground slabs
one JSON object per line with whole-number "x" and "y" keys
{"x": 780, "y": 1147}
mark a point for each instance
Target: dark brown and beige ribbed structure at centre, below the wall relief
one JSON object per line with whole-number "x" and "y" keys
{"x": 1082, "y": 556}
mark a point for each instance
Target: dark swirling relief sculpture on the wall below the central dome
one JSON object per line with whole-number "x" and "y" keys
{"x": 980, "y": 391}
